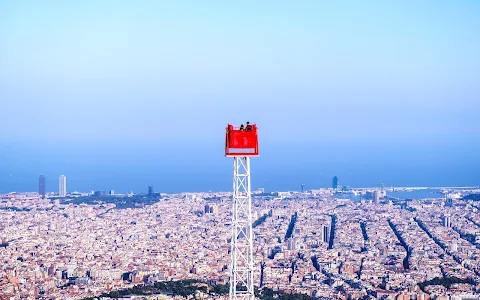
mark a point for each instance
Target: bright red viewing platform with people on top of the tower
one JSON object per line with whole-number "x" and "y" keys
{"x": 241, "y": 142}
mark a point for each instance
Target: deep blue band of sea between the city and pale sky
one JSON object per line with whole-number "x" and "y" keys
{"x": 132, "y": 166}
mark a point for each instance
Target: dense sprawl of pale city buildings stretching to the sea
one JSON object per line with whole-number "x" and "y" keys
{"x": 330, "y": 243}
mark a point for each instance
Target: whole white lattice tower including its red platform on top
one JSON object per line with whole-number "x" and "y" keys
{"x": 241, "y": 143}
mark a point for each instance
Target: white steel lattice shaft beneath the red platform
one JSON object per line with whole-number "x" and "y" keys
{"x": 241, "y": 260}
